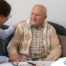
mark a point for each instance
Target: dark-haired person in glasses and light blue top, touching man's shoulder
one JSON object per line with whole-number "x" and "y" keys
{"x": 5, "y": 10}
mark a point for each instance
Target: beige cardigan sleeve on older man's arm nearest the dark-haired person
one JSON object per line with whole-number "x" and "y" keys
{"x": 13, "y": 45}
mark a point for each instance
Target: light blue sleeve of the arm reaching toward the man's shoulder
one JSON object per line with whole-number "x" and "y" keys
{"x": 7, "y": 32}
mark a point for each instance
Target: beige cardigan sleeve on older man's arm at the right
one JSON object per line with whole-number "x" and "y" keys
{"x": 55, "y": 52}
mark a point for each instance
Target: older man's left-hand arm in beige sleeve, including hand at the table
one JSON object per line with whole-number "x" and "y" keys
{"x": 14, "y": 44}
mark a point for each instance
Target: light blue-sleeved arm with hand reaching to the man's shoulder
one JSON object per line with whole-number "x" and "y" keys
{"x": 7, "y": 32}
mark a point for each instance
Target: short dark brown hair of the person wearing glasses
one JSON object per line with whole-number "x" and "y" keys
{"x": 5, "y": 8}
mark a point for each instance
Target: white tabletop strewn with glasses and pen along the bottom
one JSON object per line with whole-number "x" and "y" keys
{"x": 38, "y": 63}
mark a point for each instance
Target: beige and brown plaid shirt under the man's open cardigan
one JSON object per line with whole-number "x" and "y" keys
{"x": 37, "y": 48}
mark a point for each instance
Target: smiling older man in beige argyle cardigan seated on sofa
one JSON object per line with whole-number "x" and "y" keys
{"x": 35, "y": 39}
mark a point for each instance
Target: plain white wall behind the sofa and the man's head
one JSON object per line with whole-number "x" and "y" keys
{"x": 21, "y": 10}
